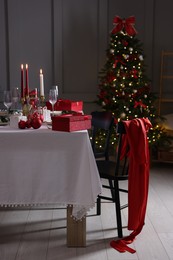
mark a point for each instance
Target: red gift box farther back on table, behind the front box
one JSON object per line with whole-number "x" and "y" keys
{"x": 67, "y": 105}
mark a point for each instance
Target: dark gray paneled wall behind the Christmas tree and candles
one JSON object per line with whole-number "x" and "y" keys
{"x": 68, "y": 39}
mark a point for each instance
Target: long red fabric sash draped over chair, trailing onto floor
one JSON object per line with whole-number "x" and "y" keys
{"x": 139, "y": 162}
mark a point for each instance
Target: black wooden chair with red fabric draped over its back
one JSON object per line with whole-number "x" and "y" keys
{"x": 114, "y": 171}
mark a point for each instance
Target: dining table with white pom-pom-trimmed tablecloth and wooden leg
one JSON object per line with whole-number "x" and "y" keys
{"x": 46, "y": 167}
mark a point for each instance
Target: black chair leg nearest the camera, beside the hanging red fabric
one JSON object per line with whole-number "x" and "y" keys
{"x": 118, "y": 209}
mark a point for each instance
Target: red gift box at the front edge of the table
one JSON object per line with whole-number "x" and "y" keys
{"x": 69, "y": 122}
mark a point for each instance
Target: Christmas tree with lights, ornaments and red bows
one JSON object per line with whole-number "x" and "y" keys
{"x": 124, "y": 87}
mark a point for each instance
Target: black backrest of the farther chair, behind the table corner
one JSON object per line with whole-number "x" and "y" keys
{"x": 102, "y": 122}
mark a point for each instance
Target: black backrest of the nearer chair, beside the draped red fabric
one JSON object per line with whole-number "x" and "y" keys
{"x": 122, "y": 163}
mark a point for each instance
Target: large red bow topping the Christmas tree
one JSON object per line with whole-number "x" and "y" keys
{"x": 126, "y": 24}
